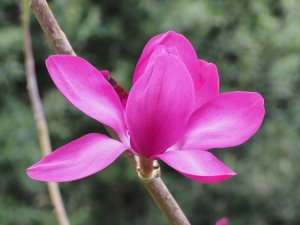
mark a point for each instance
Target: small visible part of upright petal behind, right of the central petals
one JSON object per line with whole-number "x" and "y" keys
{"x": 208, "y": 86}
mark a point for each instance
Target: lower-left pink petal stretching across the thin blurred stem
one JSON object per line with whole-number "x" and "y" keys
{"x": 77, "y": 159}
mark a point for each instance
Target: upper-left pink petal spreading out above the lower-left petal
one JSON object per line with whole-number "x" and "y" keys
{"x": 86, "y": 88}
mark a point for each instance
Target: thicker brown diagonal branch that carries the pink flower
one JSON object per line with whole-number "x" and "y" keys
{"x": 61, "y": 45}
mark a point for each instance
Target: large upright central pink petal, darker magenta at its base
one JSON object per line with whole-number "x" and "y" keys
{"x": 159, "y": 104}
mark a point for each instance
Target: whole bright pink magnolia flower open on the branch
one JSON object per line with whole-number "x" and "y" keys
{"x": 174, "y": 112}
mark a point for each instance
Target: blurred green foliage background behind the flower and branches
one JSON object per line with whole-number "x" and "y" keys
{"x": 255, "y": 45}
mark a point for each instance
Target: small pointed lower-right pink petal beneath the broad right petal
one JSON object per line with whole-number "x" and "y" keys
{"x": 201, "y": 166}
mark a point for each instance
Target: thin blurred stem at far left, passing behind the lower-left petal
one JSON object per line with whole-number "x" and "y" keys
{"x": 39, "y": 117}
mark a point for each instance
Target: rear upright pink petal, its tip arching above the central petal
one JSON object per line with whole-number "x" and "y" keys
{"x": 169, "y": 39}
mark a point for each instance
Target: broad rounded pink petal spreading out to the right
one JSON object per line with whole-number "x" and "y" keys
{"x": 228, "y": 120}
